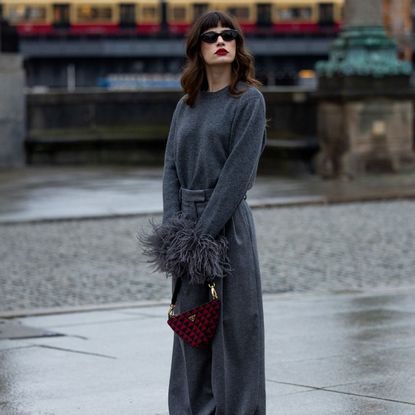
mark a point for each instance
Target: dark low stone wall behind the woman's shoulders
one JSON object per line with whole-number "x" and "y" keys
{"x": 132, "y": 126}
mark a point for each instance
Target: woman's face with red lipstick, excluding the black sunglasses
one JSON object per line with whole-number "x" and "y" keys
{"x": 210, "y": 53}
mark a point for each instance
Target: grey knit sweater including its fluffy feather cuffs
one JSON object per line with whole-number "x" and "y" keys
{"x": 215, "y": 144}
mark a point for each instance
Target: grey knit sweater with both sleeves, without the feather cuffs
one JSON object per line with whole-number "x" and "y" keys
{"x": 216, "y": 144}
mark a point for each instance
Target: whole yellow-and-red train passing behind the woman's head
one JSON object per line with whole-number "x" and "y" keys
{"x": 152, "y": 17}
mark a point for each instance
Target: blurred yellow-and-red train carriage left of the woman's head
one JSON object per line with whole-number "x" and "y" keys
{"x": 83, "y": 17}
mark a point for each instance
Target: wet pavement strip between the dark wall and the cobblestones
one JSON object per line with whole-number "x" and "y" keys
{"x": 50, "y": 193}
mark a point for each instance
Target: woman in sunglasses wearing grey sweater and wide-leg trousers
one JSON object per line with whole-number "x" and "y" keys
{"x": 215, "y": 141}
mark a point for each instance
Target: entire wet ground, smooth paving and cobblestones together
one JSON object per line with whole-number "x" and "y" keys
{"x": 342, "y": 343}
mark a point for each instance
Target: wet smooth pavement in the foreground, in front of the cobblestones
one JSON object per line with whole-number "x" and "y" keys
{"x": 325, "y": 354}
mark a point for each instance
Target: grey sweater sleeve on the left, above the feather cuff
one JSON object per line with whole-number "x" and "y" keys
{"x": 171, "y": 184}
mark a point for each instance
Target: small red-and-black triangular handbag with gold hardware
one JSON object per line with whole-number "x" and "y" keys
{"x": 196, "y": 327}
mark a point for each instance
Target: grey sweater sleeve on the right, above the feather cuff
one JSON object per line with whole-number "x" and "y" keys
{"x": 248, "y": 136}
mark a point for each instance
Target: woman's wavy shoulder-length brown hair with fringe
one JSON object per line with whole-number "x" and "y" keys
{"x": 193, "y": 78}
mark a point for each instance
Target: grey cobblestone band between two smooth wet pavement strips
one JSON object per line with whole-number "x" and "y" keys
{"x": 310, "y": 248}
